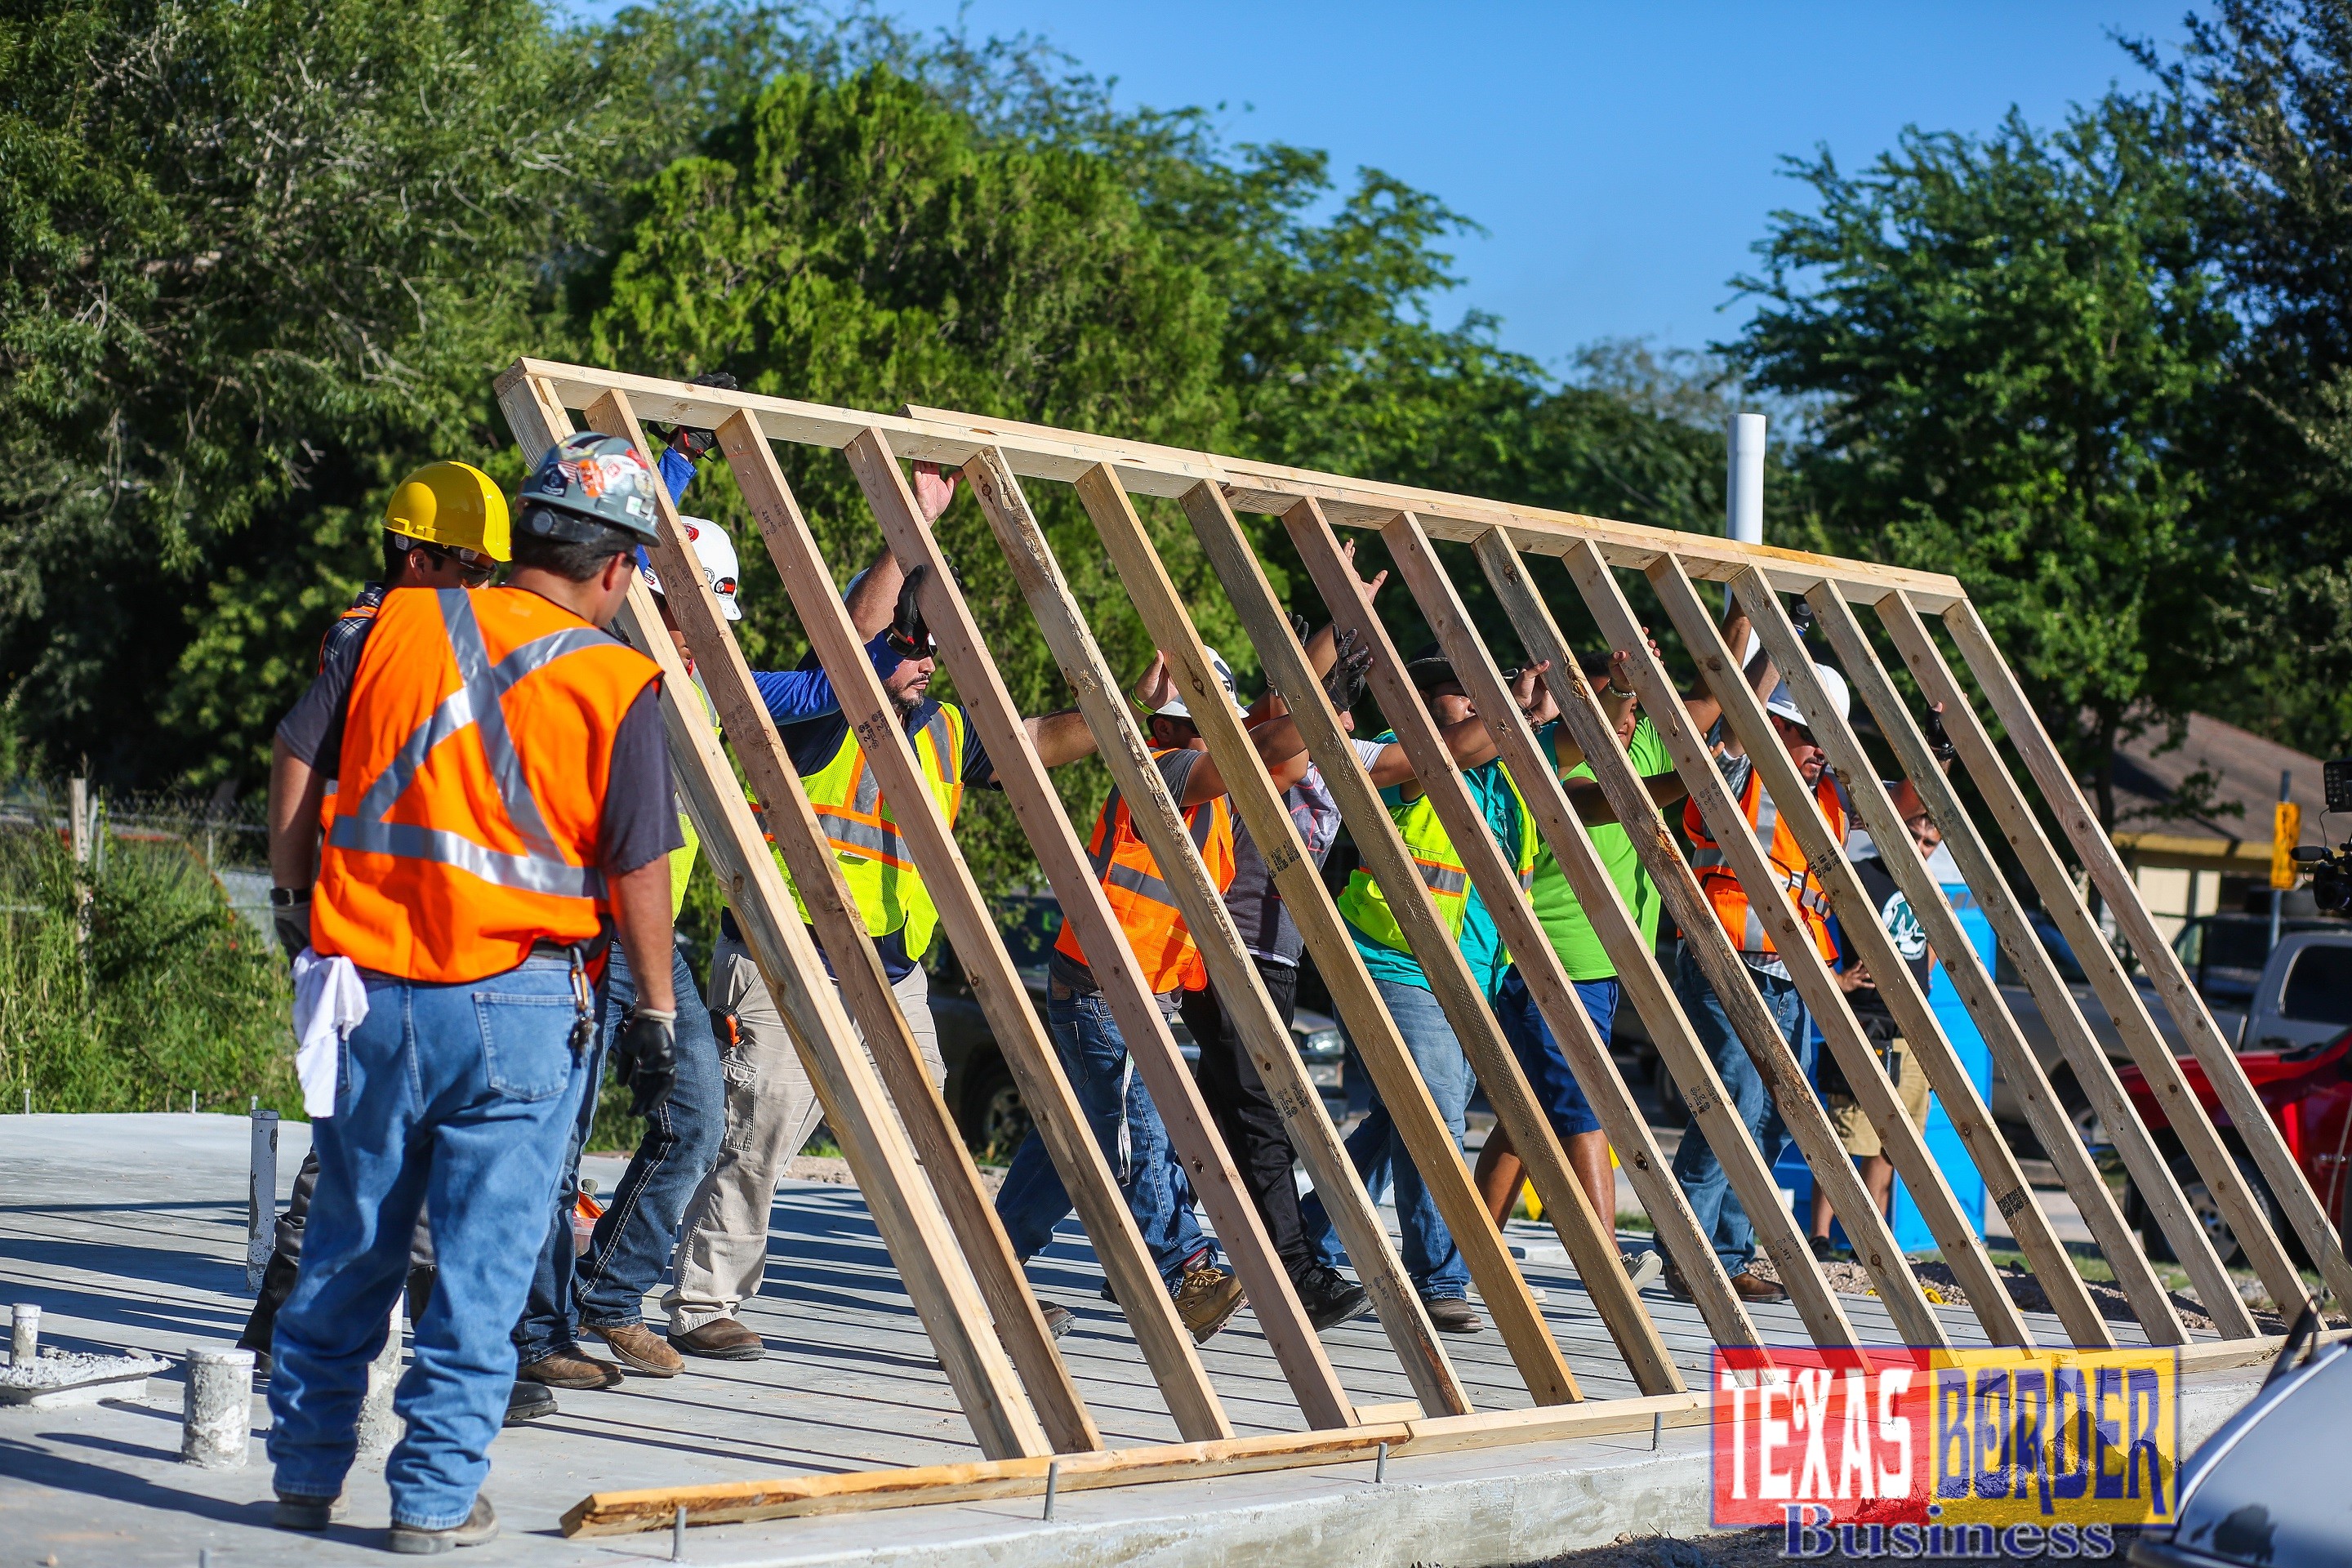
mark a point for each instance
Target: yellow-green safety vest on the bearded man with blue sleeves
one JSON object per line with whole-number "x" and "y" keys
{"x": 864, "y": 836}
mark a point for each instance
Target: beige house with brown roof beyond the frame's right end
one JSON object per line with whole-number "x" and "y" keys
{"x": 2172, "y": 815}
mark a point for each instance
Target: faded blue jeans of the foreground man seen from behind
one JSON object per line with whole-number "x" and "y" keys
{"x": 453, "y": 1099}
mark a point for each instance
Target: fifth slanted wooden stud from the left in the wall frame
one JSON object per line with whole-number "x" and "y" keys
{"x": 1231, "y": 974}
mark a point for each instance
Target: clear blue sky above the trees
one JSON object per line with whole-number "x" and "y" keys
{"x": 1622, "y": 159}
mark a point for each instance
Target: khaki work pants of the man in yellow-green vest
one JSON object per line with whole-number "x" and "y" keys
{"x": 770, "y": 1113}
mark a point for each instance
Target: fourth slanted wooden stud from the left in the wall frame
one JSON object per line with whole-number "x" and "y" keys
{"x": 1151, "y": 1047}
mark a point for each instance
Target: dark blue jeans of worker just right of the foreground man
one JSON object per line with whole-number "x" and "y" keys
{"x": 634, "y": 1240}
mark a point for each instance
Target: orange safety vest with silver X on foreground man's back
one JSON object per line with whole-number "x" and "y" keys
{"x": 476, "y": 753}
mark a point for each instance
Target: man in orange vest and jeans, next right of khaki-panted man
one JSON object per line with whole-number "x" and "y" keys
{"x": 1088, "y": 1038}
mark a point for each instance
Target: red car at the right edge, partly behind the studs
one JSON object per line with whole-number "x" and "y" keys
{"x": 2308, "y": 1092}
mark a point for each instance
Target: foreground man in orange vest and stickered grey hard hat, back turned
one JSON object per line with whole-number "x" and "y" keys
{"x": 505, "y": 812}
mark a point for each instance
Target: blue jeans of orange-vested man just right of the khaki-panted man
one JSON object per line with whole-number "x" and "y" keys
{"x": 1121, "y": 1113}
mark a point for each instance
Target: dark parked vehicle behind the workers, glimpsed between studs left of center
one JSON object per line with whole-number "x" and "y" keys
{"x": 982, "y": 1092}
